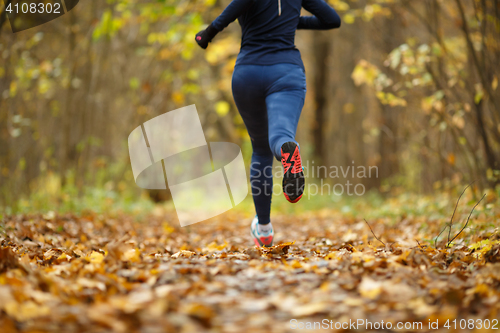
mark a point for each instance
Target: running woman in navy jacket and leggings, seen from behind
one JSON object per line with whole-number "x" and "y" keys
{"x": 269, "y": 88}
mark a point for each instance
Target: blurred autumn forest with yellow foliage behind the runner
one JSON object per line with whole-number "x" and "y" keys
{"x": 408, "y": 86}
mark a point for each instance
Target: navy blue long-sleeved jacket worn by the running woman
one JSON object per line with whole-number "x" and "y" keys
{"x": 268, "y": 27}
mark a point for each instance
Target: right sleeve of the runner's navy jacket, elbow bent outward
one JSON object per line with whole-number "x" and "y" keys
{"x": 325, "y": 17}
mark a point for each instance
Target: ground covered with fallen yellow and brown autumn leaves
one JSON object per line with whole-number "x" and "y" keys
{"x": 93, "y": 273}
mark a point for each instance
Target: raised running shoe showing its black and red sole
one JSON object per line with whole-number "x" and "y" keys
{"x": 293, "y": 173}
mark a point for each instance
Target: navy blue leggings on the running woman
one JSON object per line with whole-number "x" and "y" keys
{"x": 270, "y": 99}
